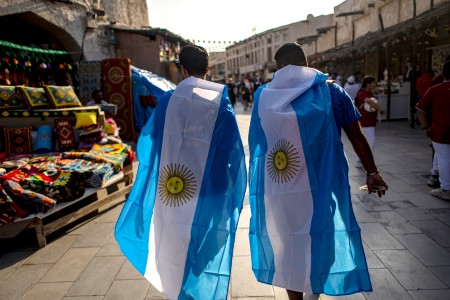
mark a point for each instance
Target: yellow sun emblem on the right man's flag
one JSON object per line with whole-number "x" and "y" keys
{"x": 283, "y": 162}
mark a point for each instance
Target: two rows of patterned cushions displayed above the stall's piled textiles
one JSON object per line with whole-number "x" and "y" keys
{"x": 19, "y": 140}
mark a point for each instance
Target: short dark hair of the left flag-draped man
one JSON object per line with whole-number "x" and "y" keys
{"x": 194, "y": 59}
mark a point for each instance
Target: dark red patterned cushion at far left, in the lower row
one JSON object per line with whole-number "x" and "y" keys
{"x": 18, "y": 140}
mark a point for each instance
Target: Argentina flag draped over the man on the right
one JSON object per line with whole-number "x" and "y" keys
{"x": 303, "y": 233}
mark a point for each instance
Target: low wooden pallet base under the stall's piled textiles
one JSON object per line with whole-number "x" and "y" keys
{"x": 94, "y": 201}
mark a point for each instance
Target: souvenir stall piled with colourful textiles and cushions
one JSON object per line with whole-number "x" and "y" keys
{"x": 59, "y": 160}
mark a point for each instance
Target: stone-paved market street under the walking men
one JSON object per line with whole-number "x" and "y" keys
{"x": 406, "y": 236}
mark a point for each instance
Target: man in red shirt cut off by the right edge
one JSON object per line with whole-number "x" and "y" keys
{"x": 436, "y": 101}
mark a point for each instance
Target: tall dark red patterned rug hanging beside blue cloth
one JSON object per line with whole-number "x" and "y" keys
{"x": 117, "y": 90}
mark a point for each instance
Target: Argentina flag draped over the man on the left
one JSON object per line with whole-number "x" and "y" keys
{"x": 178, "y": 224}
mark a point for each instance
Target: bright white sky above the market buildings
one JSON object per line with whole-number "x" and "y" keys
{"x": 230, "y": 20}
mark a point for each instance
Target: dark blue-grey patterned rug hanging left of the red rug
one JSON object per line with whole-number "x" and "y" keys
{"x": 90, "y": 76}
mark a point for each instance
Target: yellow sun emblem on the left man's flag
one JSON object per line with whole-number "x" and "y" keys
{"x": 177, "y": 185}
